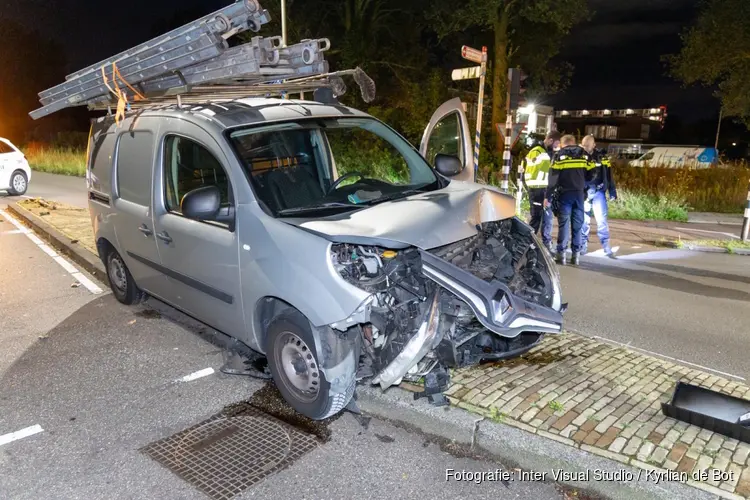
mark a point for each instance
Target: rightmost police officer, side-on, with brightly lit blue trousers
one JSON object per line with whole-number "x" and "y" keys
{"x": 596, "y": 200}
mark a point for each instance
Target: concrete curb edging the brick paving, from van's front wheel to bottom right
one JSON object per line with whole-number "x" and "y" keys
{"x": 515, "y": 447}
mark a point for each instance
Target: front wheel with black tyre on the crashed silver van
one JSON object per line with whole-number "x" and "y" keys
{"x": 283, "y": 333}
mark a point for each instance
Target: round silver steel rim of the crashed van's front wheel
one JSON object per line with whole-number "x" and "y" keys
{"x": 299, "y": 366}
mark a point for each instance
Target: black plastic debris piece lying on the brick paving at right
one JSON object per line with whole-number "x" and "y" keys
{"x": 711, "y": 410}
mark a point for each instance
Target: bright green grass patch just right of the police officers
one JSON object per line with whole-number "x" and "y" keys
{"x": 641, "y": 206}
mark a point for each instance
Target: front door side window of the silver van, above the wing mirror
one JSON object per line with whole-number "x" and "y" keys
{"x": 188, "y": 166}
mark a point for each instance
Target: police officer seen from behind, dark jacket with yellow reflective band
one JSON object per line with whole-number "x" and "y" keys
{"x": 570, "y": 173}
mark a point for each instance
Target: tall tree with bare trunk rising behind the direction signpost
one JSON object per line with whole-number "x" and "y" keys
{"x": 525, "y": 33}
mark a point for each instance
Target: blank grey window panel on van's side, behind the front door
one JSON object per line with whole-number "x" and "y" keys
{"x": 134, "y": 166}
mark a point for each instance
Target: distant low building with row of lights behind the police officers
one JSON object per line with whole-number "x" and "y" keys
{"x": 614, "y": 125}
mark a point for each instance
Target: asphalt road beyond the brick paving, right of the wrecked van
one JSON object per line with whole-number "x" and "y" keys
{"x": 691, "y": 306}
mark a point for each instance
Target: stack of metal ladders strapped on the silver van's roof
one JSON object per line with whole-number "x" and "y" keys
{"x": 196, "y": 62}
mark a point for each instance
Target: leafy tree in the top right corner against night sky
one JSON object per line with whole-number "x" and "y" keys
{"x": 716, "y": 51}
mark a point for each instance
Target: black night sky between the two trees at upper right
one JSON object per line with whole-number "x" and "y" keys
{"x": 617, "y": 59}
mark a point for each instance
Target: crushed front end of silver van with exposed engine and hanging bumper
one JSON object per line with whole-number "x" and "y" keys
{"x": 488, "y": 296}
